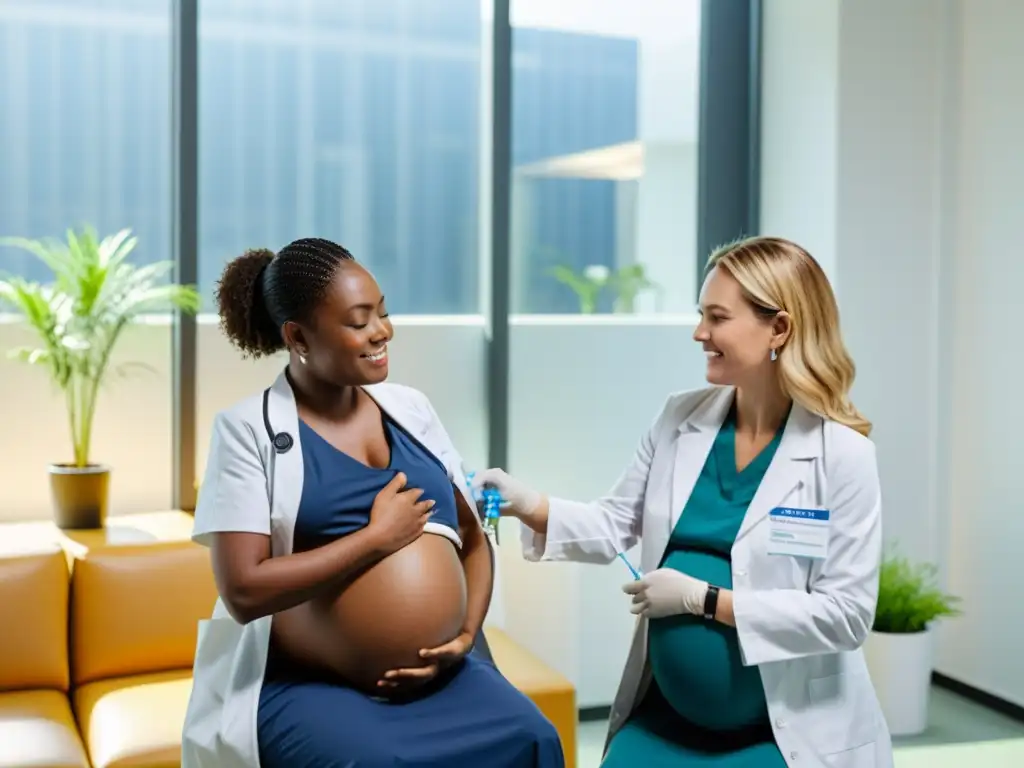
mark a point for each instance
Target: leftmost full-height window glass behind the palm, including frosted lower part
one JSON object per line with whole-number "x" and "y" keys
{"x": 86, "y": 141}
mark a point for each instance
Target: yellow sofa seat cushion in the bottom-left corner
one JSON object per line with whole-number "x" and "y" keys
{"x": 37, "y": 731}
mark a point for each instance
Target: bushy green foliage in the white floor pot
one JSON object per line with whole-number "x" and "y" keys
{"x": 909, "y": 596}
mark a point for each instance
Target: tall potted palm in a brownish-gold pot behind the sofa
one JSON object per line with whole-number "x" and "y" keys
{"x": 78, "y": 319}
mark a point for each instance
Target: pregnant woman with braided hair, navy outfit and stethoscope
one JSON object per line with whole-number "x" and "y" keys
{"x": 354, "y": 573}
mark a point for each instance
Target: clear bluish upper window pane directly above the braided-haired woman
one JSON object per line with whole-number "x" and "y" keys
{"x": 358, "y": 121}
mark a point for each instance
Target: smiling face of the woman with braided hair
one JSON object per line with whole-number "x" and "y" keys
{"x": 349, "y": 331}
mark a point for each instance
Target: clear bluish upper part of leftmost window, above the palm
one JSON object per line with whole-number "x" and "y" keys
{"x": 84, "y": 123}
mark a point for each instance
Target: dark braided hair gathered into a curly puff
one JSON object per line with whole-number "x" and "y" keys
{"x": 260, "y": 292}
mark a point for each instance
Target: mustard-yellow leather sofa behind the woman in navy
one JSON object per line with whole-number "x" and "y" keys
{"x": 98, "y": 634}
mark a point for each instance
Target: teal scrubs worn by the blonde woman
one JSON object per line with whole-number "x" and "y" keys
{"x": 704, "y": 707}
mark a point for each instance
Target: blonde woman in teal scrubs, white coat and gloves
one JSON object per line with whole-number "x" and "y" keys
{"x": 758, "y": 508}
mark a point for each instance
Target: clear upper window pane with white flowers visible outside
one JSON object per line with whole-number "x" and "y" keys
{"x": 605, "y": 139}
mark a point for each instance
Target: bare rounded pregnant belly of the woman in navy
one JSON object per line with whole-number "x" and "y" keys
{"x": 411, "y": 601}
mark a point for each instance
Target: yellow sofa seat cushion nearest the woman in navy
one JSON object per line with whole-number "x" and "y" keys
{"x": 135, "y": 722}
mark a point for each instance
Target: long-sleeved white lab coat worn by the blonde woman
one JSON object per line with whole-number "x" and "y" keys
{"x": 802, "y": 622}
